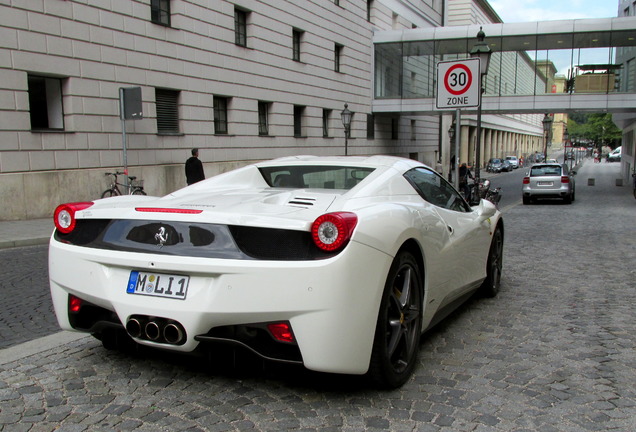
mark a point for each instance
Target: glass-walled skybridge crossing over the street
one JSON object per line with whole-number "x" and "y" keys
{"x": 548, "y": 66}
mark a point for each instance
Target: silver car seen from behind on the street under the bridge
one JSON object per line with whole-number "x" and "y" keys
{"x": 549, "y": 180}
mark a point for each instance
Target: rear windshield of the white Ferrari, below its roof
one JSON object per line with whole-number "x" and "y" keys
{"x": 314, "y": 177}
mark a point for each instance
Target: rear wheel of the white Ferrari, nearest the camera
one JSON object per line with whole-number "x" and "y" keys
{"x": 399, "y": 324}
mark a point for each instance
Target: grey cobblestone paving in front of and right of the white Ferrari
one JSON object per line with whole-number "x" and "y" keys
{"x": 555, "y": 351}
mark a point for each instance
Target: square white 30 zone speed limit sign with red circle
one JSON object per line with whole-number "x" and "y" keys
{"x": 458, "y": 83}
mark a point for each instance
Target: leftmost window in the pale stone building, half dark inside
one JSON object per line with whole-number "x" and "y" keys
{"x": 45, "y": 102}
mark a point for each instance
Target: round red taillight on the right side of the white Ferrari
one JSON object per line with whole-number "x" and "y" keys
{"x": 332, "y": 231}
